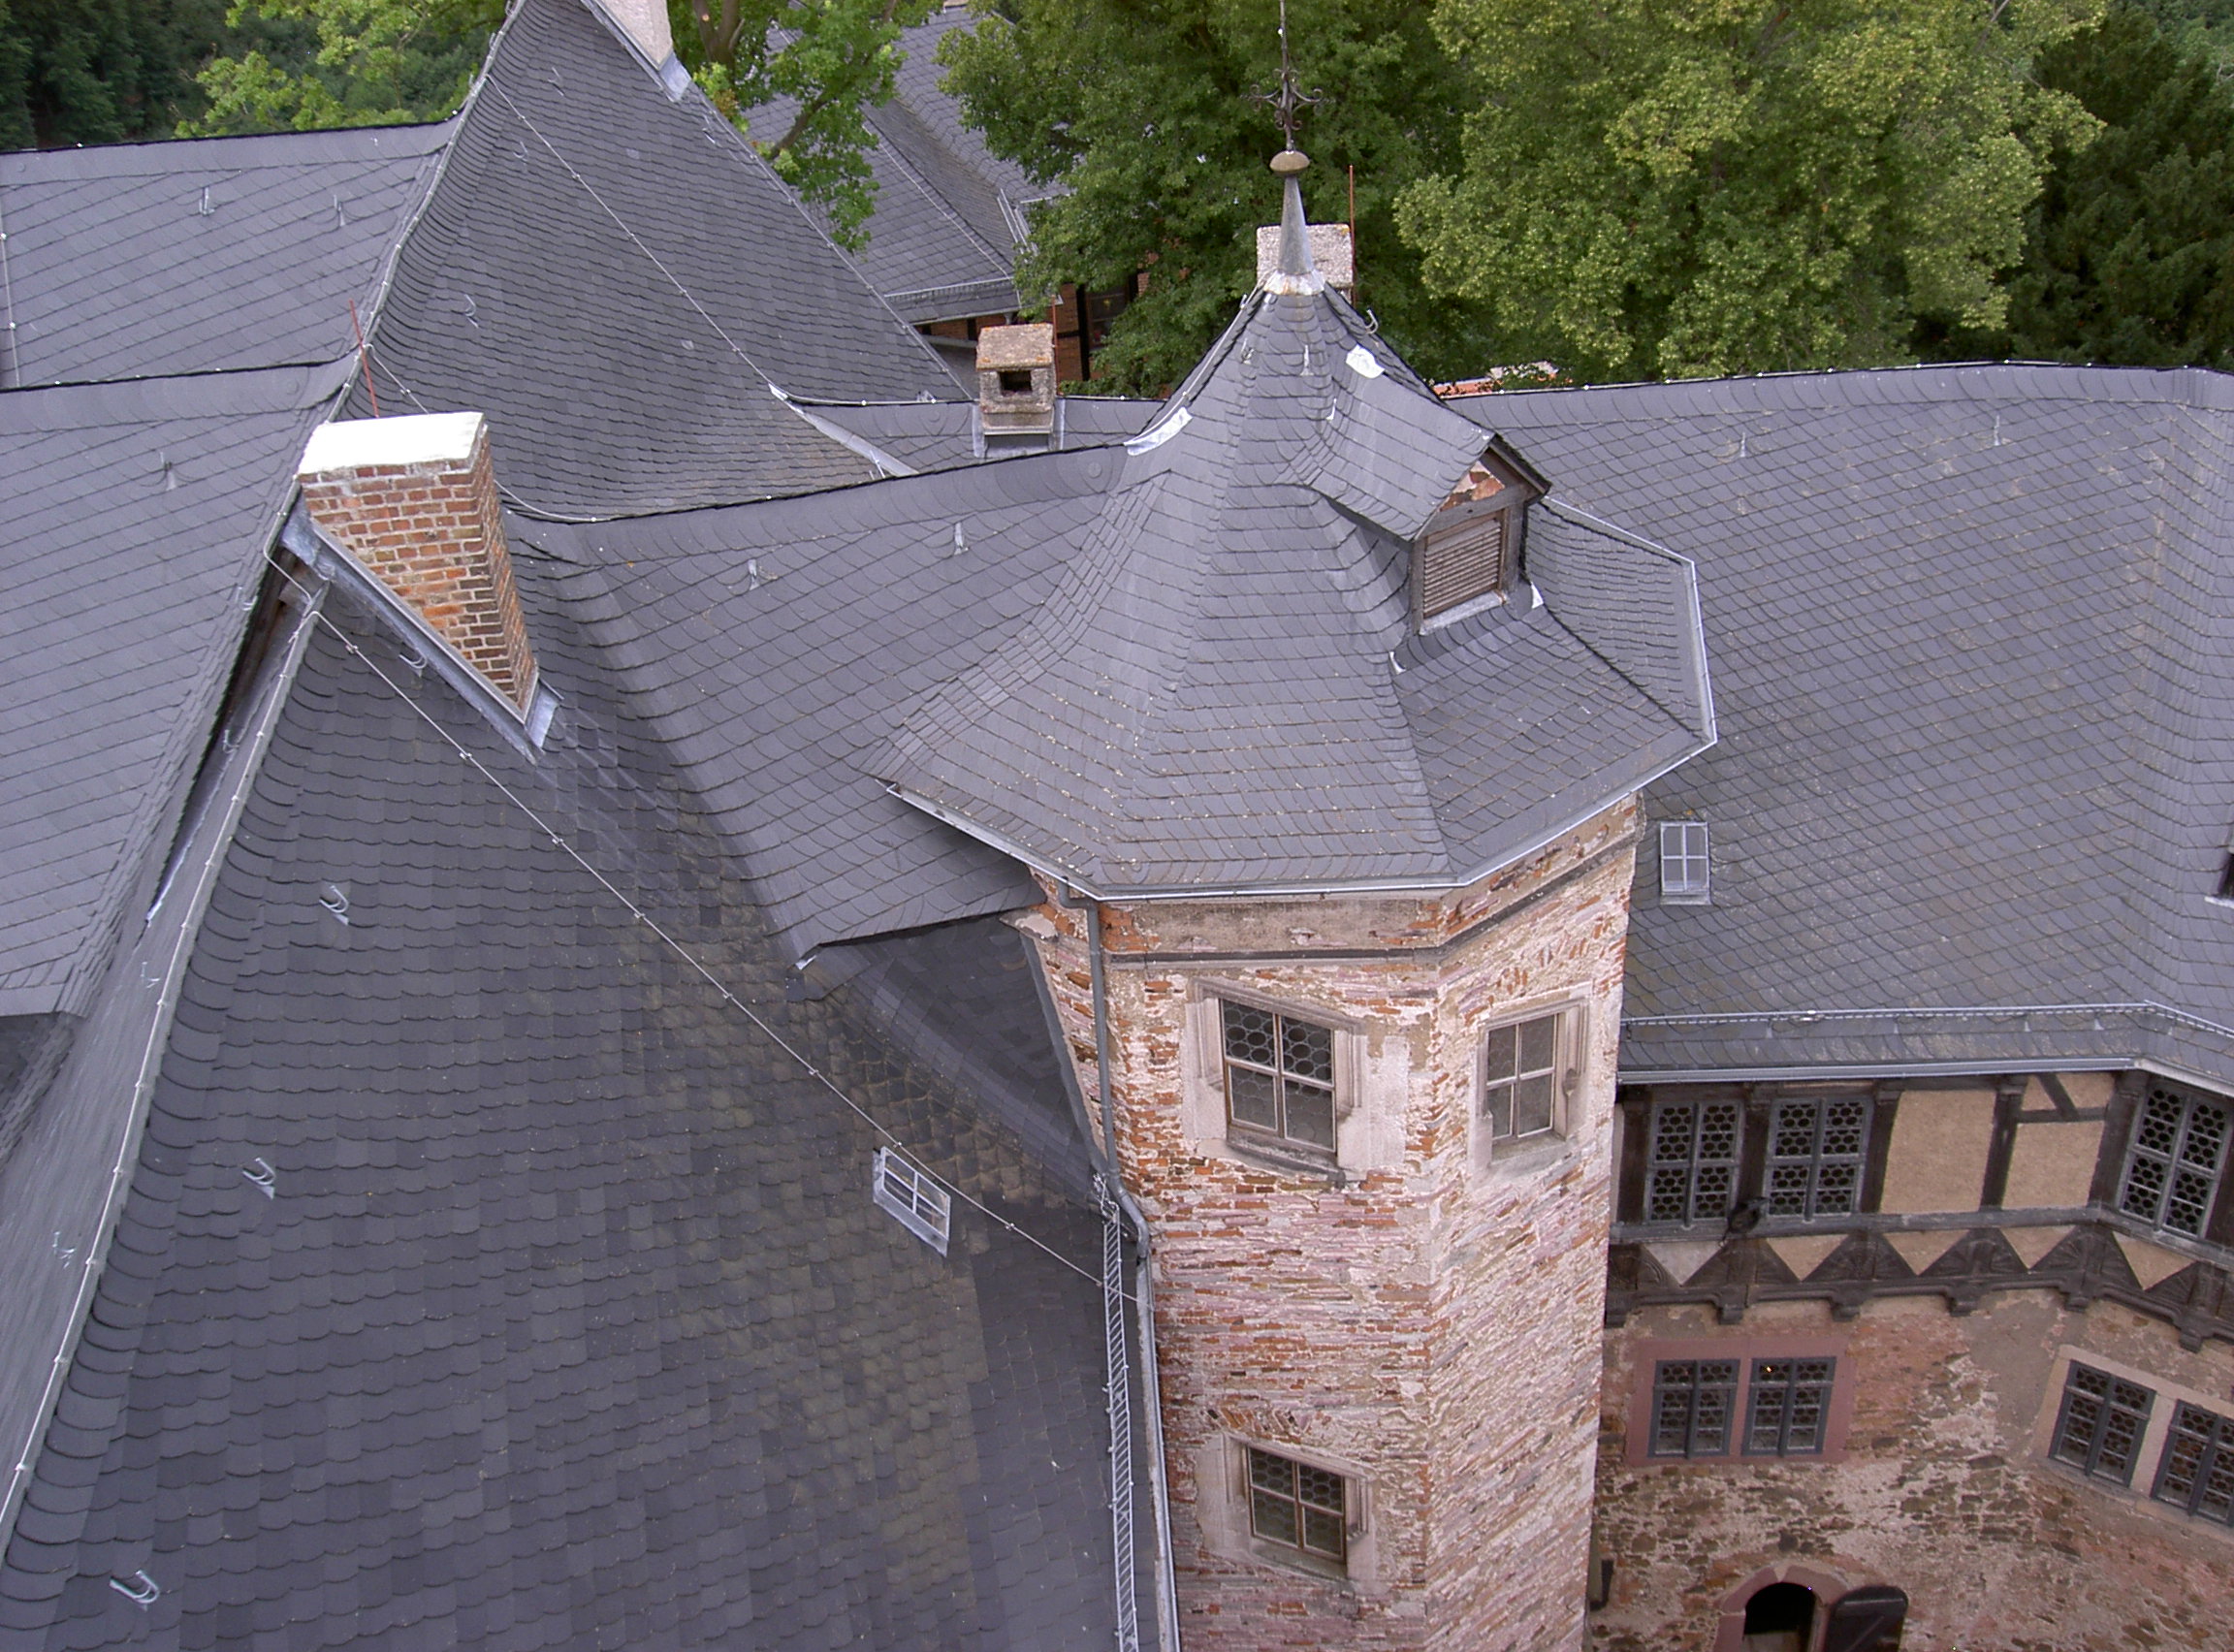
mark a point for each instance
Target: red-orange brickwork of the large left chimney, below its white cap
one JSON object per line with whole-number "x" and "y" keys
{"x": 435, "y": 535}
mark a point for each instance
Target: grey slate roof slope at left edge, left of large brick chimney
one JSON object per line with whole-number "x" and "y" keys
{"x": 133, "y": 532}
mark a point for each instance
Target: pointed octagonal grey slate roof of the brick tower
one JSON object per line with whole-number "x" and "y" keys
{"x": 1225, "y": 689}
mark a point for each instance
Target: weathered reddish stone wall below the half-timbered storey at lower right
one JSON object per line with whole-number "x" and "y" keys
{"x": 1945, "y": 1490}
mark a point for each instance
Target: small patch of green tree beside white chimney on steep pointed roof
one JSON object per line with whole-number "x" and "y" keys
{"x": 810, "y": 73}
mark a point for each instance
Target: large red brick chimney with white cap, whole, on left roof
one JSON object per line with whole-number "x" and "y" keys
{"x": 414, "y": 503}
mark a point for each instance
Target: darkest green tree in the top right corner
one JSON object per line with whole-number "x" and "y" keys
{"x": 2130, "y": 251}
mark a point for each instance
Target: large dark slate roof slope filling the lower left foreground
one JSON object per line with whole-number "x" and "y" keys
{"x": 569, "y": 1320}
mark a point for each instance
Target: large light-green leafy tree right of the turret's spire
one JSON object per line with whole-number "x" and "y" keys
{"x": 1717, "y": 186}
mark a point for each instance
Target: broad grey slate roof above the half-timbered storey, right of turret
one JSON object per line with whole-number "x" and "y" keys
{"x": 1974, "y": 649}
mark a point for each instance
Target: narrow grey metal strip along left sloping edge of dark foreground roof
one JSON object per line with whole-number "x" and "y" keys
{"x": 111, "y": 1077}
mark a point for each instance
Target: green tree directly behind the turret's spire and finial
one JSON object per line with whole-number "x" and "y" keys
{"x": 1143, "y": 111}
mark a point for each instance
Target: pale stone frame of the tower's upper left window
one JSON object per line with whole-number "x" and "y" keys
{"x": 1359, "y": 1124}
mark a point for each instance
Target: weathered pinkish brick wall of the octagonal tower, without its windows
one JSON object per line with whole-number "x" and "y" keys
{"x": 1433, "y": 1325}
